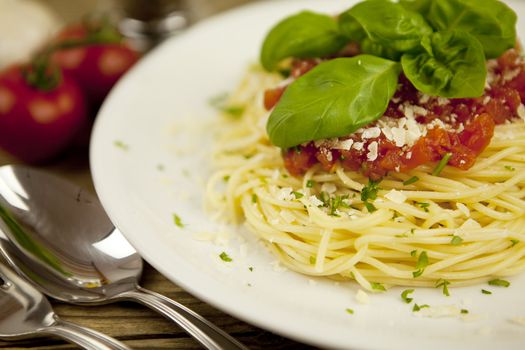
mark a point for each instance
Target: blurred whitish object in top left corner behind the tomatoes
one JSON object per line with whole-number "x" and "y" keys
{"x": 25, "y": 25}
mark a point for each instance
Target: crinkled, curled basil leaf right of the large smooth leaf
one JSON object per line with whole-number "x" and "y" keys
{"x": 449, "y": 64}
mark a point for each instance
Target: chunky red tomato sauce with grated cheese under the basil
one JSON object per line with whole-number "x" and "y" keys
{"x": 461, "y": 127}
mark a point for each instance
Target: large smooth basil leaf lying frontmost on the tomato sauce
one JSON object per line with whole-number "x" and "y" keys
{"x": 334, "y": 99}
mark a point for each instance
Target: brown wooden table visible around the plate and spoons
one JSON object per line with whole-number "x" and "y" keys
{"x": 134, "y": 324}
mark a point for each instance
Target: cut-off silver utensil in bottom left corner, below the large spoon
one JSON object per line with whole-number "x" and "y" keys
{"x": 26, "y": 313}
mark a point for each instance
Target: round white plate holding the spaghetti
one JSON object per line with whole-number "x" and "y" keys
{"x": 160, "y": 111}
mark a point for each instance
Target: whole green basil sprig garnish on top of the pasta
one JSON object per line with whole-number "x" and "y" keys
{"x": 442, "y": 46}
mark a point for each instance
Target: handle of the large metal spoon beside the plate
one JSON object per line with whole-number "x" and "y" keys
{"x": 205, "y": 332}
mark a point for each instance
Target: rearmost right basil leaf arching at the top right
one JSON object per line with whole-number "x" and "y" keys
{"x": 492, "y": 22}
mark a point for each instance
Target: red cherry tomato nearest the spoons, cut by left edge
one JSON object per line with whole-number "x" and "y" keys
{"x": 36, "y": 125}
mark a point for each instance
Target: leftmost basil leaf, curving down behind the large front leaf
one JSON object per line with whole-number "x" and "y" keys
{"x": 304, "y": 35}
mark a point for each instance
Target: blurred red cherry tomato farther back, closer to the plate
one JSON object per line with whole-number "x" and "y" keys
{"x": 96, "y": 65}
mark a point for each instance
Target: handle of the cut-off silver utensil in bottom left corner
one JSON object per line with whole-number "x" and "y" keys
{"x": 84, "y": 337}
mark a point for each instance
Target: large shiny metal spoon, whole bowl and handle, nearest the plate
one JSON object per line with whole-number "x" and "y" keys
{"x": 58, "y": 236}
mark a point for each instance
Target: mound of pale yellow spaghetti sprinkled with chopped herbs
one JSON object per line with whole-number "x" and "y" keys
{"x": 459, "y": 226}
